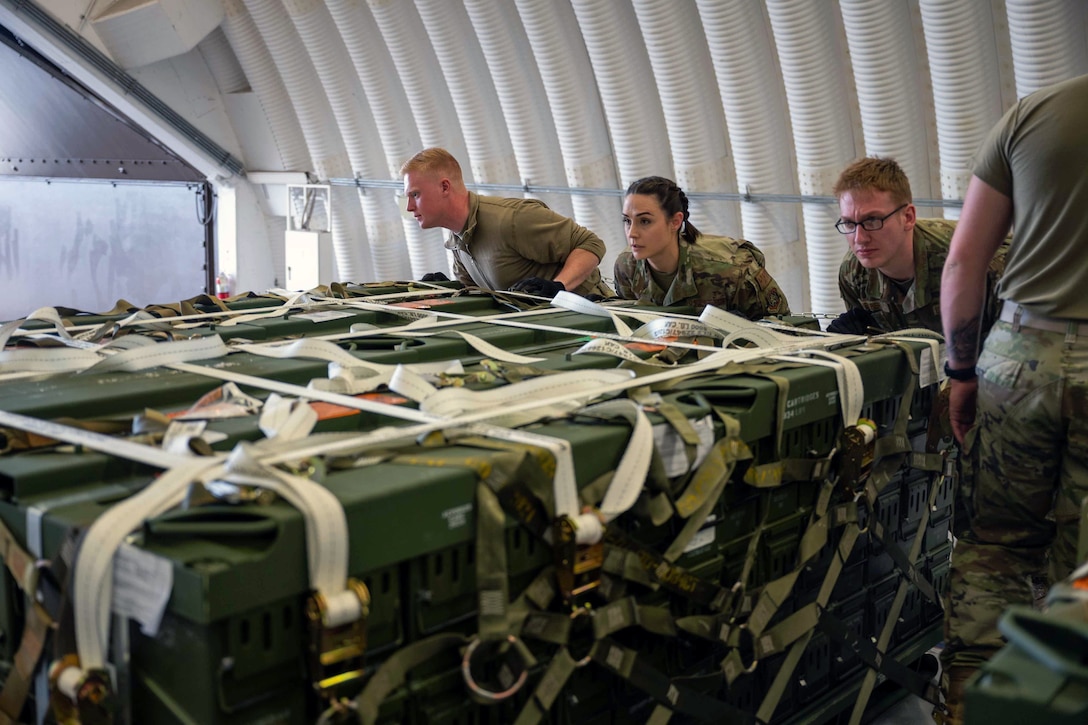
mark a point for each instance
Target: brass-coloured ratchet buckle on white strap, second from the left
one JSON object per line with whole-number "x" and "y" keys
{"x": 337, "y": 653}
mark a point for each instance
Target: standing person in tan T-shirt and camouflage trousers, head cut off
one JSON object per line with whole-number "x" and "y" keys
{"x": 1020, "y": 405}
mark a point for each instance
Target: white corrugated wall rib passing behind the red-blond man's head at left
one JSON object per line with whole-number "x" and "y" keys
{"x": 431, "y": 107}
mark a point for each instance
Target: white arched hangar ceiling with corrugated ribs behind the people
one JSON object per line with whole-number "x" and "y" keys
{"x": 753, "y": 107}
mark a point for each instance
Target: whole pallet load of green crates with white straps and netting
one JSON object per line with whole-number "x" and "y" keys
{"x": 768, "y": 412}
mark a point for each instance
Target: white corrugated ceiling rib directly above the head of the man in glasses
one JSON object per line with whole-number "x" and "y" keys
{"x": 888, "y": 99}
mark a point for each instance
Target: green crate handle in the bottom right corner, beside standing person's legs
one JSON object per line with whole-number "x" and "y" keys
{"x": 1033, "y": 632}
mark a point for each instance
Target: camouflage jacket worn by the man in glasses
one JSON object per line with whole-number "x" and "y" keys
{"x": 921, "y": 308}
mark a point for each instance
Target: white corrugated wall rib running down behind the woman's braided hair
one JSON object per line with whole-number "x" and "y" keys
{"x": 694, "y": 113}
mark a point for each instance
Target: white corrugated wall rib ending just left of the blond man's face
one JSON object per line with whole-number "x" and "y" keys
{"x": 357, "y": 127}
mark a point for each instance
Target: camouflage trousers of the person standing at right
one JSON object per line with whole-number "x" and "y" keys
{"x": 1031, "y": 448}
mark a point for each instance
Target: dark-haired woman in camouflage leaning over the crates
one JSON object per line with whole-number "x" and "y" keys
{"x": 670, "y": 263}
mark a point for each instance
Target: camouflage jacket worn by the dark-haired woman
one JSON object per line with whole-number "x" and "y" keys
{"x": 716, "y": 271}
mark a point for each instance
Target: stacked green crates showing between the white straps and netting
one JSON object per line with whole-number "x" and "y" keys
{"x": 232, "y": 645}
